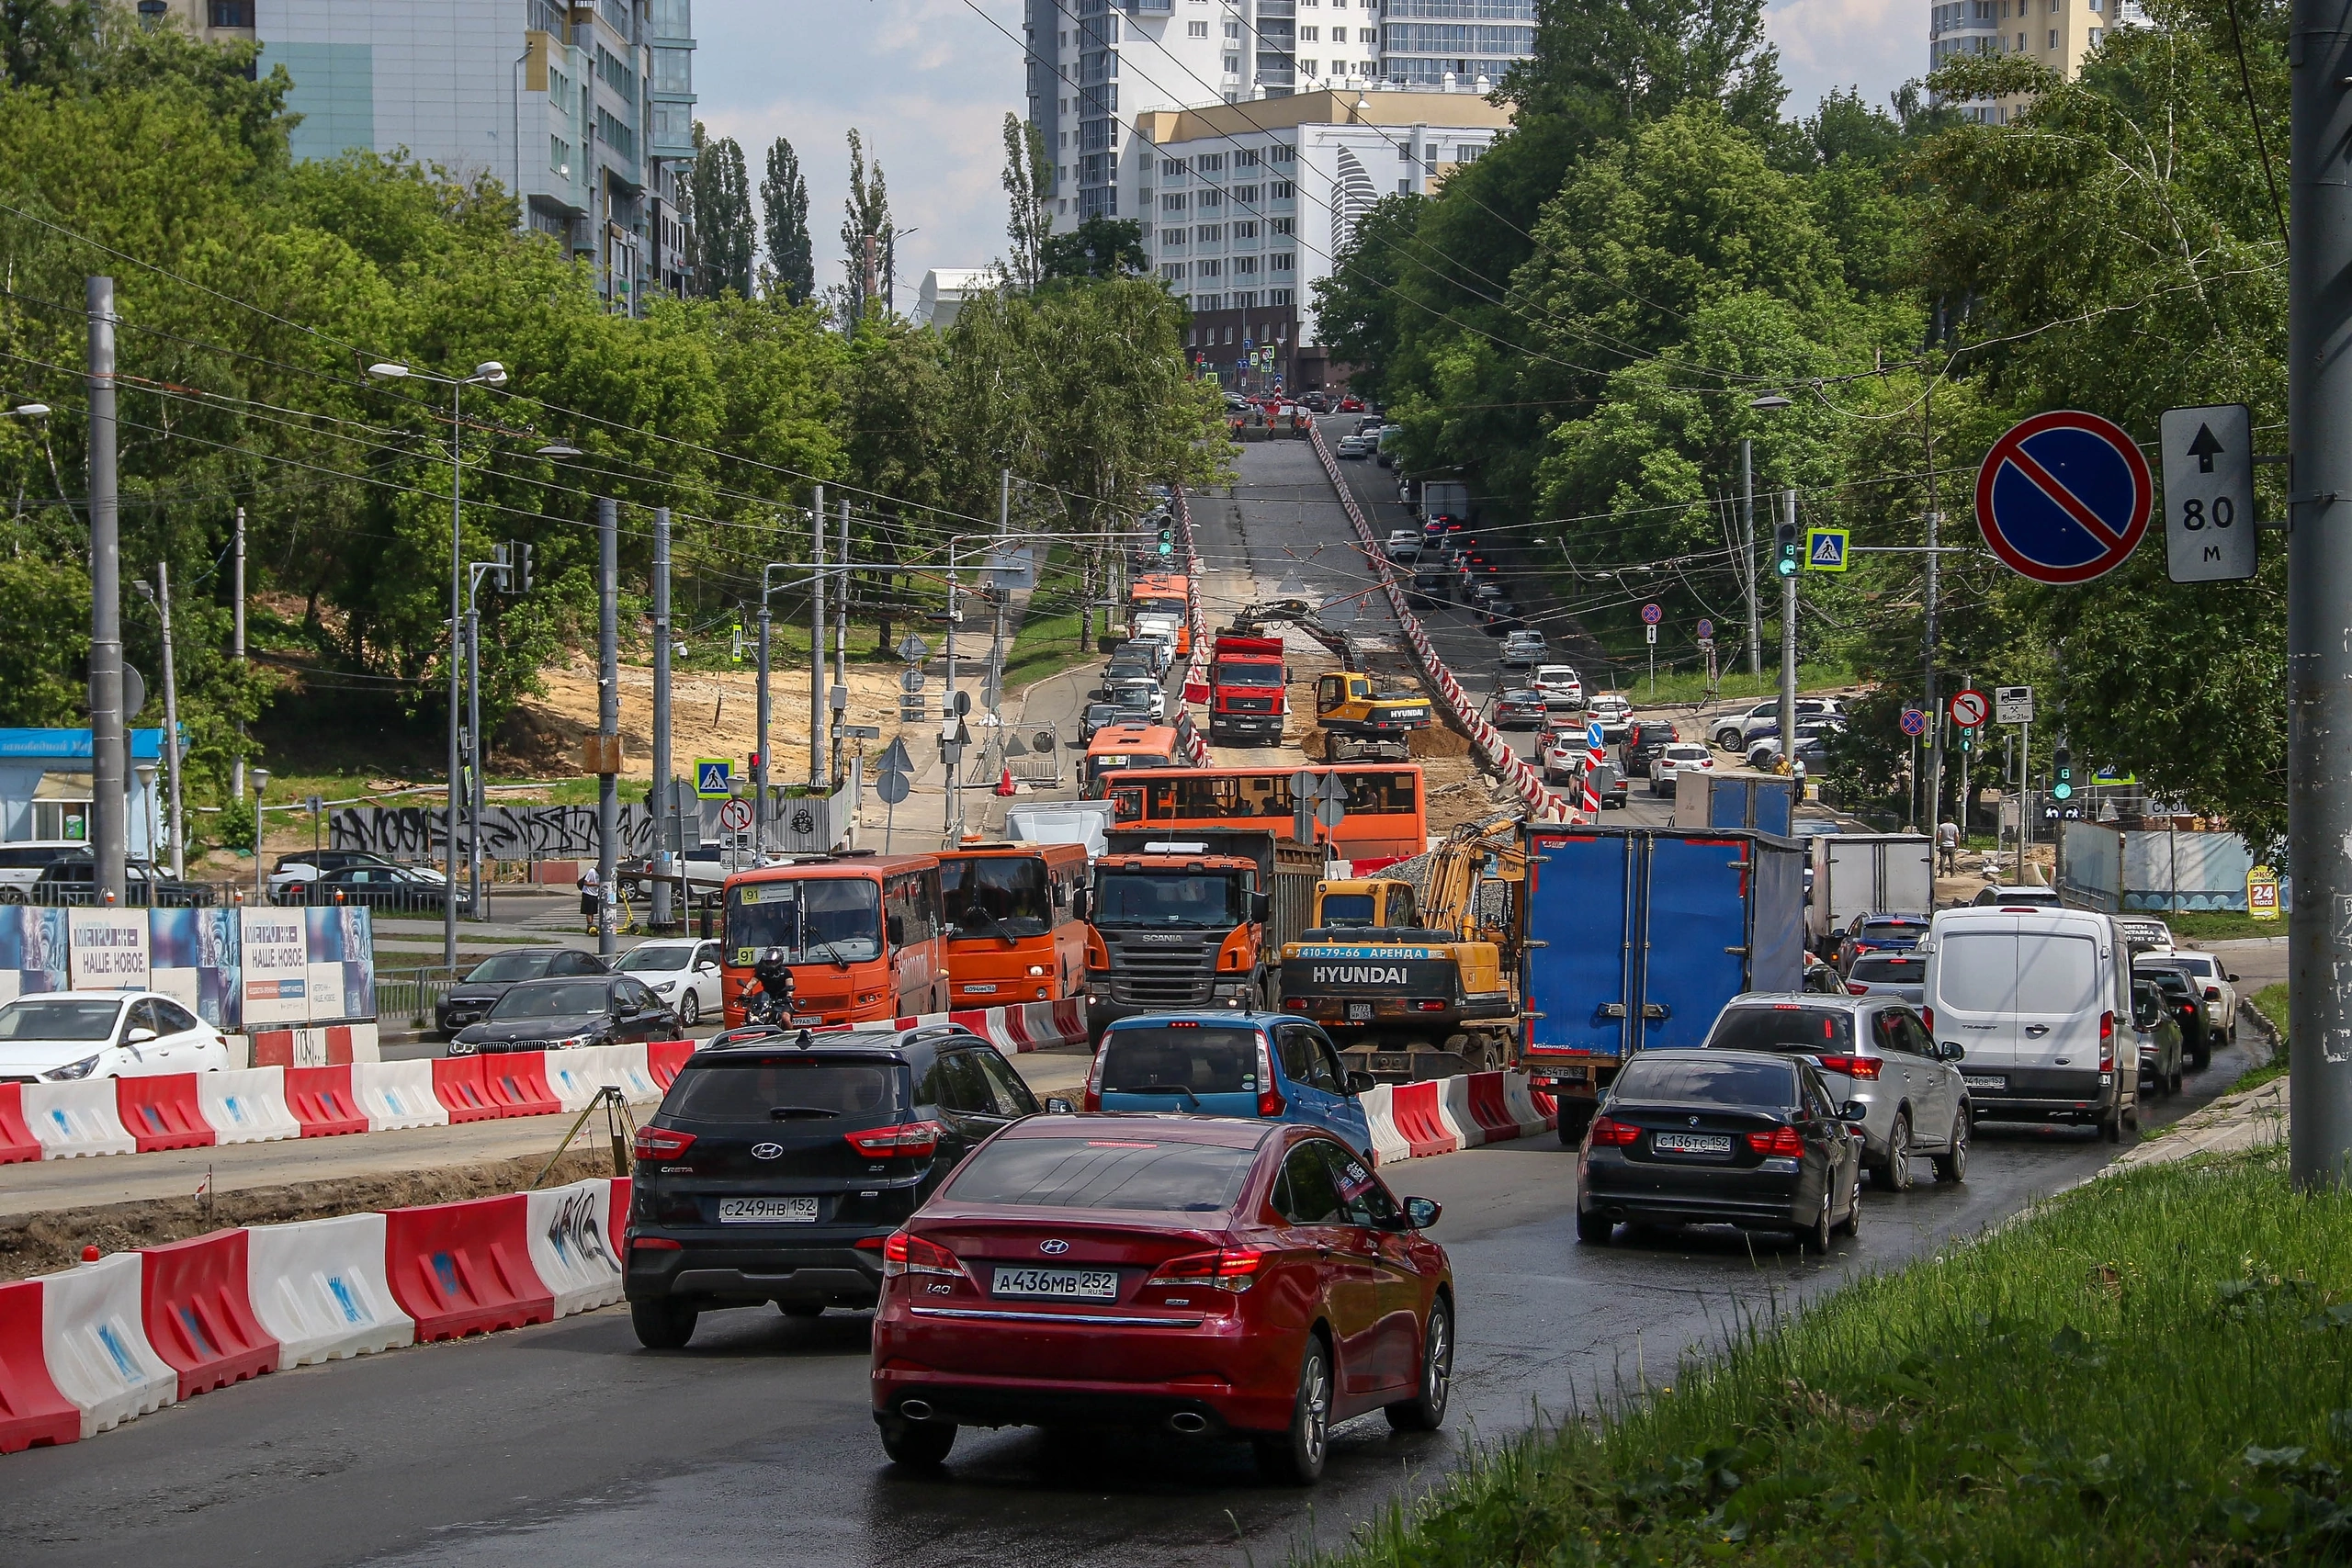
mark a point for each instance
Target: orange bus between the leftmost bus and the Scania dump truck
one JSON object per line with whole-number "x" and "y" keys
{"x": 1013, "y": 927}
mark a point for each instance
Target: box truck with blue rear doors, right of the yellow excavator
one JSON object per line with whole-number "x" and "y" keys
{"x": 1638, "y": 937}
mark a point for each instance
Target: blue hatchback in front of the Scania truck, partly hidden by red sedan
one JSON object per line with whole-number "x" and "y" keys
{"x": 1255, "y": 1066}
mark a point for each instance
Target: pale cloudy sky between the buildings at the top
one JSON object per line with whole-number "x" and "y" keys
{"x": 928, "y": 86}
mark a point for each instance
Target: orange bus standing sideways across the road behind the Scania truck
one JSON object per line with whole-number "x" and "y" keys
{"x": 1384, "y": 822}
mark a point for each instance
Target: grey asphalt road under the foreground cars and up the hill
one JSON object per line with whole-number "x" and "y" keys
{"x": 573, "y": 1445}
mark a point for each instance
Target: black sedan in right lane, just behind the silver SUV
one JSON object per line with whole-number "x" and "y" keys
{"x": 1720, "y": 1139}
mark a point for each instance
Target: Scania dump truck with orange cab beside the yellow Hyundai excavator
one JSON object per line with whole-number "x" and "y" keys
{"x": 1191, "y": 920}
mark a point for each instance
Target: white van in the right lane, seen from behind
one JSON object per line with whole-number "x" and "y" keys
{"x": 2040, "y": 1005}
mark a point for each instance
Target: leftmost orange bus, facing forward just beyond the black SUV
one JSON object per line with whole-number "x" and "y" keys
{"x": 862, "y": 932}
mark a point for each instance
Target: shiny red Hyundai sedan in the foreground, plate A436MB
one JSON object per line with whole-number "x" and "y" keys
{"x": 1182, "y": 1273}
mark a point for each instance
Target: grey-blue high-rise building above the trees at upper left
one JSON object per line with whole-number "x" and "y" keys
{"x": 584, "y": 112}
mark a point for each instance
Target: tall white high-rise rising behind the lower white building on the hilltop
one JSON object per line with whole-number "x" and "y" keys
{"x": 1097, "y": 65}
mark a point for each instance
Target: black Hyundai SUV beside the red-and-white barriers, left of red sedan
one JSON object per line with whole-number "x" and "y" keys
{"x": 777, "y": 1167}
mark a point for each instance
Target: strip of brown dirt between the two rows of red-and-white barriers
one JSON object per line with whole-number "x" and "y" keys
{"x": 55, "y": 1240}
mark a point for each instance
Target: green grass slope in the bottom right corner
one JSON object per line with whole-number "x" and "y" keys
{"x": 2151, "y": 1369}
